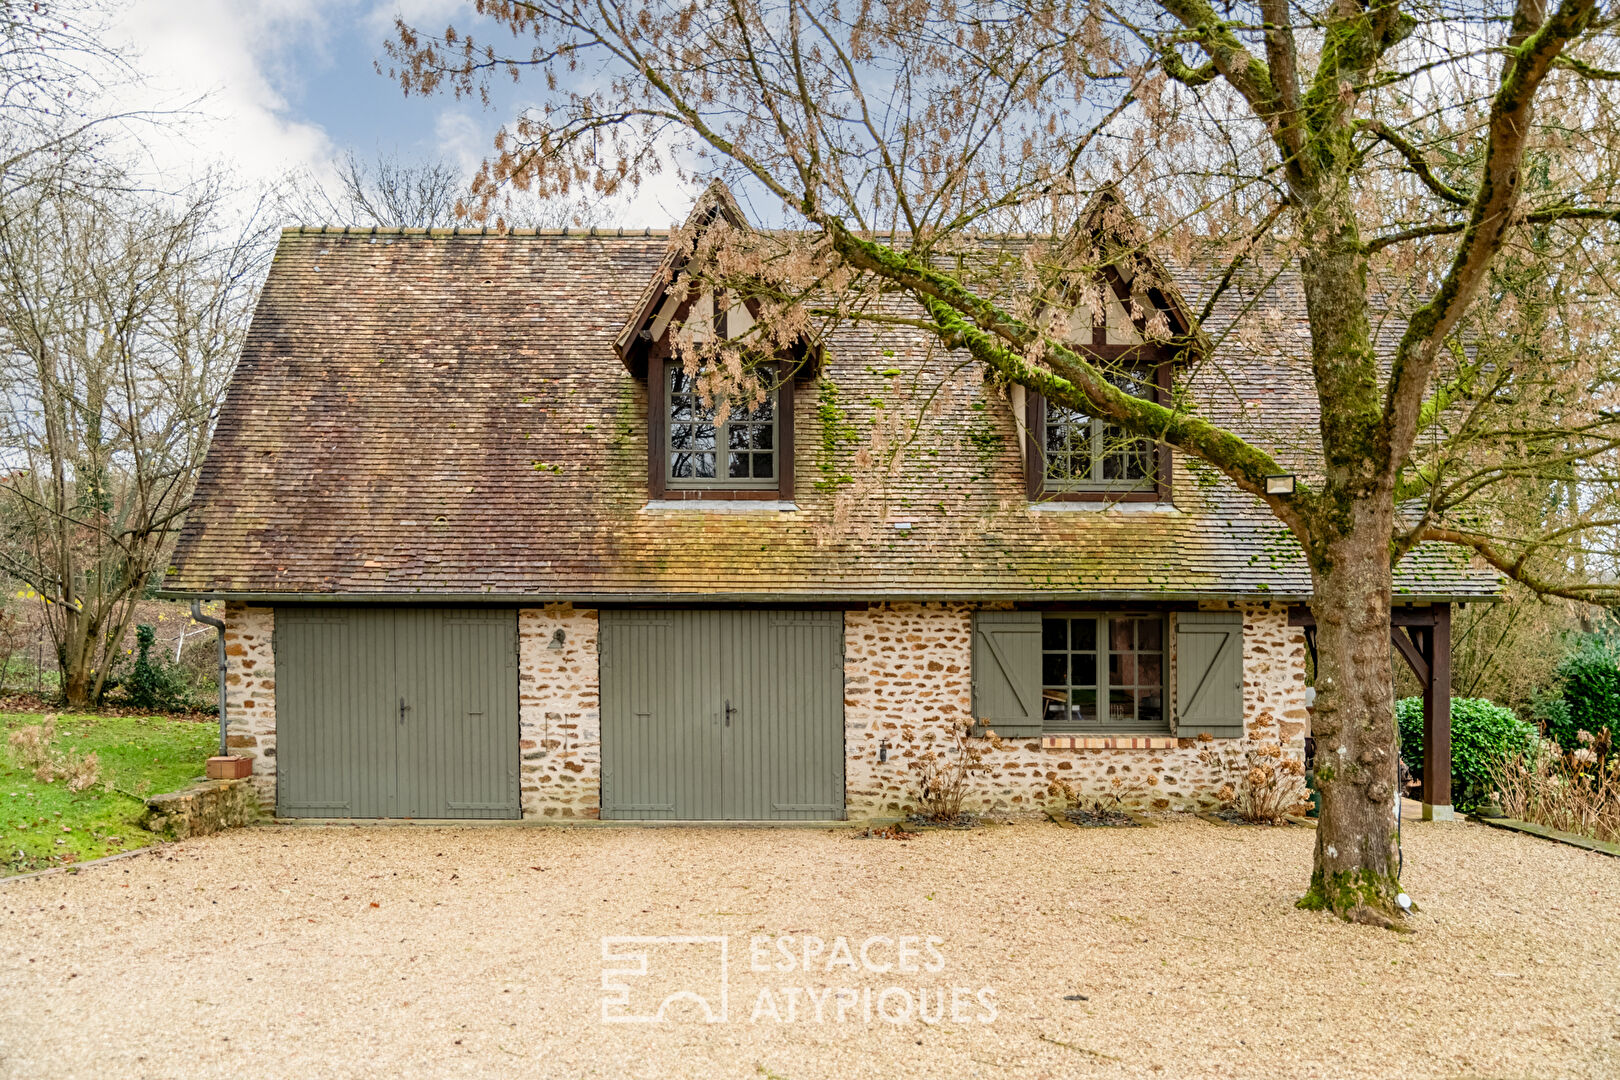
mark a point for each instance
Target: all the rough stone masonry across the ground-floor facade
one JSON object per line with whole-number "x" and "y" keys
{"x": 908, "y": 681}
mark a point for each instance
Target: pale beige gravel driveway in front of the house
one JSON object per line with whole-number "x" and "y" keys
{"x": 1106, "y": 953}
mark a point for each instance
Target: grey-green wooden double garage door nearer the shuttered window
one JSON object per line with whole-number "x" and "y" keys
{"x": 723, "y": 715}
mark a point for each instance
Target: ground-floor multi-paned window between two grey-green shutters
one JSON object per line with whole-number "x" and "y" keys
{"x": 1104, "y": 674}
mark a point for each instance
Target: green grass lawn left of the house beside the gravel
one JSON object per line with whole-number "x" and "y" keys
{"x": 46, "y": 825}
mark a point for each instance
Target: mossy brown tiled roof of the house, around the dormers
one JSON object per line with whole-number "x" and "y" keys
{"x": 433, "y": 415}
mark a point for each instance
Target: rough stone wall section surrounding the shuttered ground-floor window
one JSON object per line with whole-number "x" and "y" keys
{"x": 908, "y": 681}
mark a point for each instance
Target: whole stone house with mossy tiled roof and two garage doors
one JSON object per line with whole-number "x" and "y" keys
{"x": 487, "y": 555}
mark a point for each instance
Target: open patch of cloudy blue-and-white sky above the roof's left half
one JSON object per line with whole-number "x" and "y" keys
{"x": 289, "y": 85}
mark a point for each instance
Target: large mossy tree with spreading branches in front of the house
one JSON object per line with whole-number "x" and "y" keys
{"x": 1388, "y": 151}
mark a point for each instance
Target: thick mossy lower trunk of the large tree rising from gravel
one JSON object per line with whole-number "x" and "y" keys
{"x": 1357, "y": 859}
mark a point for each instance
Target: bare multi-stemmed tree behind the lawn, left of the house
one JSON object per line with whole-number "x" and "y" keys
{"x": 121, "y": 320}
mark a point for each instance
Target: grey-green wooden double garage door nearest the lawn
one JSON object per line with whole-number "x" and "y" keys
{"x": 396, "y": 713}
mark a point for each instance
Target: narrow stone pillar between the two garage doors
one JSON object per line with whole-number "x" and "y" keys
{"x": 560, "y": 712}
